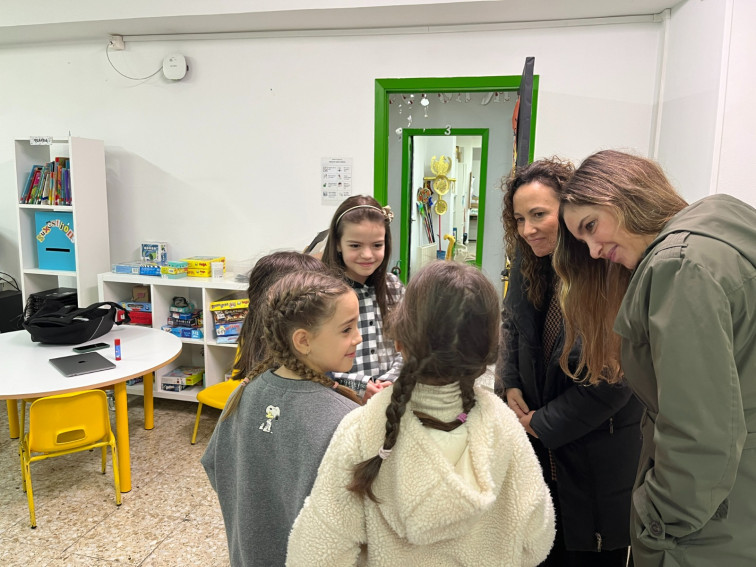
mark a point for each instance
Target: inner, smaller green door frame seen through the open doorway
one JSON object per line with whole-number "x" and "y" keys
{"x": 407, "y": 192}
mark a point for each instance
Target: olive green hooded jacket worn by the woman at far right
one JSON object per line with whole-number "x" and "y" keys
{"x": 688, "y": 328}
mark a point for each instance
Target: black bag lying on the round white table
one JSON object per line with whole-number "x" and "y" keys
{"x": 59, "y": 324}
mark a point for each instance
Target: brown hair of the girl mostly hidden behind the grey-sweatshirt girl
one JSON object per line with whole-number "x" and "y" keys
{"x": 267, "y": 271}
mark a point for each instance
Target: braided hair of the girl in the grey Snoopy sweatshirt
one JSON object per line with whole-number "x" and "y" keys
{"x": 299, "y": 300}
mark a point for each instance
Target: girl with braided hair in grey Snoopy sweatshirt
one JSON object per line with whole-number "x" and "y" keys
{"x": 264, "y": 454}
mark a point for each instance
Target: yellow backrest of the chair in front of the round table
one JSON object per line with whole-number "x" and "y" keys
{"x": 67, "y": 421}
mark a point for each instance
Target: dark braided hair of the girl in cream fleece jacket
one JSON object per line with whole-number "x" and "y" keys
{"x": 448, "y": 330}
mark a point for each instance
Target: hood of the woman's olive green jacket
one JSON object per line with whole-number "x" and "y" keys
{"x": 721, "y": 217}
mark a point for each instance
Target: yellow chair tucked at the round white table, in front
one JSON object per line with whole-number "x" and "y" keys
{"x": 64, "y": 424}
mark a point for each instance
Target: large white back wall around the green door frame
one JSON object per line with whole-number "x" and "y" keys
{"x": 227, "y": 160}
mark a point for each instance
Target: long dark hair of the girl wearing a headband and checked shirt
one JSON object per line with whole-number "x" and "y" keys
{"x": 363, "y": 207}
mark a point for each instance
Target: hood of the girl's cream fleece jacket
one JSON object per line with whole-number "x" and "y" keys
{"x": 422, "y": 496}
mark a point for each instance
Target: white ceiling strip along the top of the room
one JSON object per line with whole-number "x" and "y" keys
{"x": 29, "y": 22}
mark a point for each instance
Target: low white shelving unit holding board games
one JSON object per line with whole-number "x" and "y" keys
{"x": 216, "y": 358}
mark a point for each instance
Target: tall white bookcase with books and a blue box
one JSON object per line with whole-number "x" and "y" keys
{"x": 90, "y": 216}
